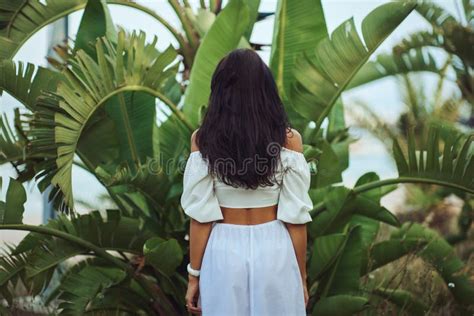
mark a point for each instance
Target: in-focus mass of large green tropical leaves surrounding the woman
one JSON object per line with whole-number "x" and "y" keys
{"x": 97, "y": 109}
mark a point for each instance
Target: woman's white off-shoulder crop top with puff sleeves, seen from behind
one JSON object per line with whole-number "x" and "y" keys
{"x": 203, "y": 195}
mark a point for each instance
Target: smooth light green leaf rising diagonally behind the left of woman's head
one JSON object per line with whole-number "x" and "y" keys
{"x": 223, "y": 36}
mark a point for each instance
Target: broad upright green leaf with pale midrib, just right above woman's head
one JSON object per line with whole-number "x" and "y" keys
{"x": 298, "y": 27}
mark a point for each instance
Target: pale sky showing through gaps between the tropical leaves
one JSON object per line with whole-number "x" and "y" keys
{"x": 383, "y": 96}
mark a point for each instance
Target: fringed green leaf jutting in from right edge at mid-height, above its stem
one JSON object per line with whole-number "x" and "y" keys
{"x": 453, "y": 167}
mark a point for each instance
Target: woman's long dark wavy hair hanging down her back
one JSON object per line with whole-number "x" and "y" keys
{"x": 245, "y": 124}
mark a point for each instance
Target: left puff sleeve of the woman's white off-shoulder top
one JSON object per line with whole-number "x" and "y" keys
{"x": 198, "y": 199}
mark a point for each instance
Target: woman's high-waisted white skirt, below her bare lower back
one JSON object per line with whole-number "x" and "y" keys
{"x": 250, "y": 270}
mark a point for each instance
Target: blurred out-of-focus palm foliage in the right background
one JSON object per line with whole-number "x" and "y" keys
{"x": 411, "y": 61}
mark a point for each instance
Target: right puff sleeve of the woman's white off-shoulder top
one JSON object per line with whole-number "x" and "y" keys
{"x": 294, "y": 202}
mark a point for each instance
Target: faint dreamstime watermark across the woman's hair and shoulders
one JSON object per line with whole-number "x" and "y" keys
{"x": 259, "y": 164}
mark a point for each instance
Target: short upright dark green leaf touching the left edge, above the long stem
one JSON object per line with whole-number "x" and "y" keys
{"x": 11, "y": 211}
